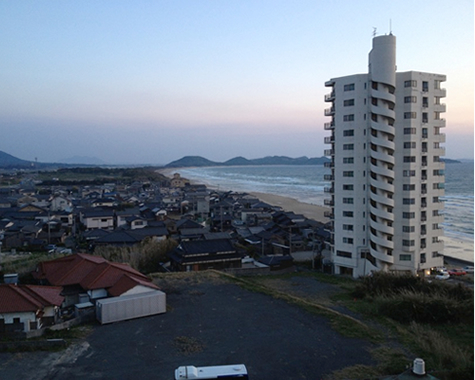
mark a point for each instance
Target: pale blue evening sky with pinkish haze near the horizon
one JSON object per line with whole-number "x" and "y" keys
{"x": 148, "y": 82}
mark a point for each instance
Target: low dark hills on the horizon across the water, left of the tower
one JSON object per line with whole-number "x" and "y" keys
{"x": 197, "y": 161}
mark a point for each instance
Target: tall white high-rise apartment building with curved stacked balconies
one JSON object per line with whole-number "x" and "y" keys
{"x": 387, "y": 178}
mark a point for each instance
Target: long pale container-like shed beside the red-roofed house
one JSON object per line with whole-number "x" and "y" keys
{"x": 121, "y": 308}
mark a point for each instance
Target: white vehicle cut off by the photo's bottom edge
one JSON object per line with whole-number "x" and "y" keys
{"x": 235, "y": 371}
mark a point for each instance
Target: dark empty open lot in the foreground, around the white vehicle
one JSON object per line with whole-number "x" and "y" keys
{"x": 210, "y": 321}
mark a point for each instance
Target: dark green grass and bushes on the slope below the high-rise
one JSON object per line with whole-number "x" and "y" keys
{"x": 419, "y": 319}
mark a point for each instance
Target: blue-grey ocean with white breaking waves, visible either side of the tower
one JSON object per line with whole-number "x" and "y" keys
{"x": 306, "y": 184}
